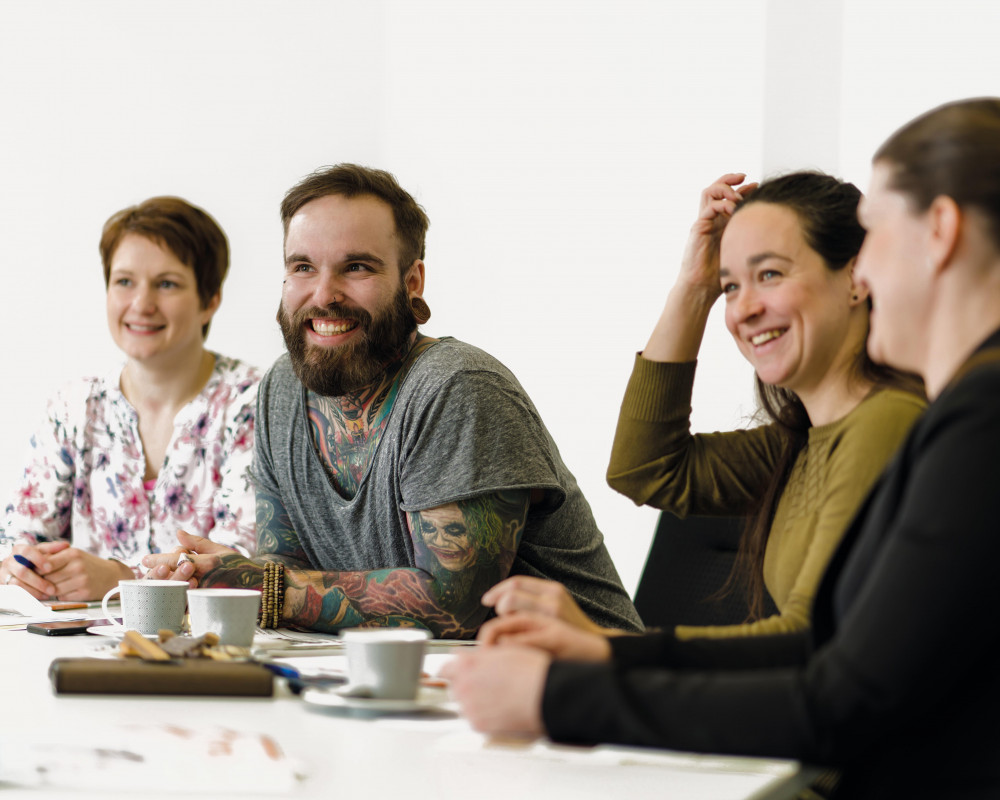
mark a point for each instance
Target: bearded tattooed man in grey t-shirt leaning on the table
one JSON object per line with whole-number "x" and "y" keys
{"x": 381, "y": 452}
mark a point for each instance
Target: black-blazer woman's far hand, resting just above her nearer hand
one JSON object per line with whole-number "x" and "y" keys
{"x": 557, "y": 638}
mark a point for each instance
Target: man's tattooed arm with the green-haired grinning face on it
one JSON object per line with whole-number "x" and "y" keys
{"x": 460, "y": 550}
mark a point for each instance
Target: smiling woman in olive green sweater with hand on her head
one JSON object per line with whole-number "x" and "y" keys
{"x": 784, "y": 266}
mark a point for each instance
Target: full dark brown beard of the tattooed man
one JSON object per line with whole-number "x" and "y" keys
{"x": 336, "y": 371}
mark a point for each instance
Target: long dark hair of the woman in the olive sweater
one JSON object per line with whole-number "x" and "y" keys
{"x": 827, "y": 212}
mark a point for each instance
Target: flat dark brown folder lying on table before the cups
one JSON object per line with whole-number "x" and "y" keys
{"x": 191, "y": 676}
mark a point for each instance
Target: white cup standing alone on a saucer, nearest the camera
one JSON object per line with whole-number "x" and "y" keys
{"x": 385, "y": 663}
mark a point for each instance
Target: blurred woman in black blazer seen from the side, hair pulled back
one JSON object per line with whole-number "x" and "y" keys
{"x": 898, "y": 682}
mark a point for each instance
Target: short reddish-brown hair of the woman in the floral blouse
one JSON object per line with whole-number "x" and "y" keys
{"x": 186, "y": 230}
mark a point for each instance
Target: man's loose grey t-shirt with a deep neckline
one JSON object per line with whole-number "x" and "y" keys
{"x": 461, "y": 426}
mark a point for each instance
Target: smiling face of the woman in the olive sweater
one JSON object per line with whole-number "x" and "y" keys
{"x": 787, "y": 310}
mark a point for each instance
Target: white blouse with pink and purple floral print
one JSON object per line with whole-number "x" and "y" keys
{"x": 84, "y": 479}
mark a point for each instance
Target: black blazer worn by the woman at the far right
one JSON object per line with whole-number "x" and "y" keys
{"x": 899, "y": 681}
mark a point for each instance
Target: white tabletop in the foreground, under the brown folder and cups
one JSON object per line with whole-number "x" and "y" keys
{"x": 346, "y": 755}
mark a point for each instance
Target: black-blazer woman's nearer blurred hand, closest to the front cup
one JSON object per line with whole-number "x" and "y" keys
{"x": 500, "y": 688}
